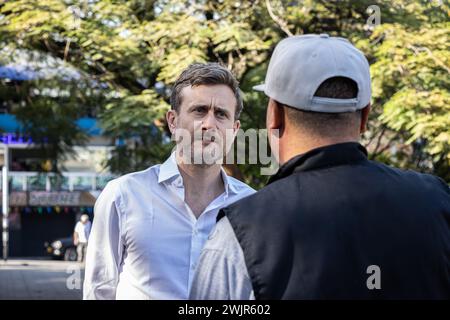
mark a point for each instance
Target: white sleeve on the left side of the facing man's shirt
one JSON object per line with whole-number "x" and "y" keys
{"x": 105, "y": 247}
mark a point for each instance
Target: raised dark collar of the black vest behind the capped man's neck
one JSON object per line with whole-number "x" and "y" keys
{"x": 328, "y": 156}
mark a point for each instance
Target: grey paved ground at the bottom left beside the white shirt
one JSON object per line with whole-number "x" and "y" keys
{"x": 34, "y": 279}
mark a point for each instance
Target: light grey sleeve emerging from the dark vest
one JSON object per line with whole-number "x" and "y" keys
{"x": 221, "y": 272}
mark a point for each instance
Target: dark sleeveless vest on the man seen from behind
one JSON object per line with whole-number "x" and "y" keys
{"x": 330, "y": 216}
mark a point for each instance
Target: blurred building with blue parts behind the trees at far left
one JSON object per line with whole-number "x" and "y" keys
{"x": 46, "y": 206}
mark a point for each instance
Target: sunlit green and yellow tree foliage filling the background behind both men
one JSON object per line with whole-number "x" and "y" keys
{"x": 129, "y": 53}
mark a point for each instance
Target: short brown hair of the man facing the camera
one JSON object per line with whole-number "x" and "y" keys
{"x": 206, "y": 74}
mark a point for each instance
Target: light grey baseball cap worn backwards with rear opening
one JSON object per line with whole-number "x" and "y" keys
{"x": 300, "y": 64}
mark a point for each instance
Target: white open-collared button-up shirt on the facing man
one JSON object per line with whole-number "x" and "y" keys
{"x": 145, "y": 240}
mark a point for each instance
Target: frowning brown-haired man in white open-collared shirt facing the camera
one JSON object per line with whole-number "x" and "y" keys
{"x": 150, "y": 226}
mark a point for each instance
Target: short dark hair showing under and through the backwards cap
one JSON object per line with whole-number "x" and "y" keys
{"x": 322, "y": 123}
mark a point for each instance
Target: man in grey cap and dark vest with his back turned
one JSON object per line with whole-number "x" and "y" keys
{"x": 330, "y": 224}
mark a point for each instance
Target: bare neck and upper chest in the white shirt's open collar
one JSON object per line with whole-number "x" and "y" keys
{"x": 202, "y": 184}
